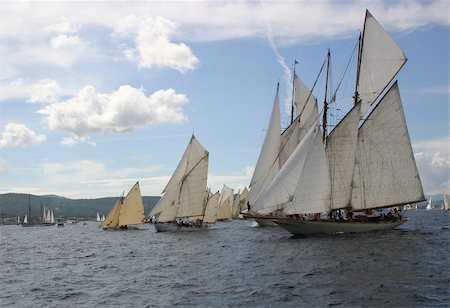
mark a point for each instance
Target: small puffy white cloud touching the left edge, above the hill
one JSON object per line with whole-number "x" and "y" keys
{"x": 15, "y": 134}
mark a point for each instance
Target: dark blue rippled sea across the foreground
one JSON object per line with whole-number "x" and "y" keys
{"x": 231, "y": 265}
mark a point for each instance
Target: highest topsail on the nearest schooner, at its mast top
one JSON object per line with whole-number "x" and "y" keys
{"x": 381, "y": 60}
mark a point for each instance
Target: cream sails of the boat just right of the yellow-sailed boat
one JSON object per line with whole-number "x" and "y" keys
{"x": 185, "y": 194}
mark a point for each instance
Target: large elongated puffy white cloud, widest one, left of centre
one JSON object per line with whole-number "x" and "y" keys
{"x": 119, "y": 111}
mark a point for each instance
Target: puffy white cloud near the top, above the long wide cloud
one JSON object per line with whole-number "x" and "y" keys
{"x": 153, "y": 45}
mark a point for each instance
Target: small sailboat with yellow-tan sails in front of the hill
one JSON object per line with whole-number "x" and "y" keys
{"x": 127, "y": 211}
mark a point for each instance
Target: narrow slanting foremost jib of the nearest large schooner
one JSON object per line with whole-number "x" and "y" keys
{"x": 282, "y": 189}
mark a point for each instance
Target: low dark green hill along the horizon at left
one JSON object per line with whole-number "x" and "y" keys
{"x": 13, "y": 205}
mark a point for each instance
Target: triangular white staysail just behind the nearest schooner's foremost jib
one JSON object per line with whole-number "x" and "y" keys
{"x": 312, "y": 194}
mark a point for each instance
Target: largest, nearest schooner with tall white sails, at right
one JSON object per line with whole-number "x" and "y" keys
{"x": 346, "y": 180}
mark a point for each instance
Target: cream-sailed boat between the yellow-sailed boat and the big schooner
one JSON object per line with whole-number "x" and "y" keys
{"x": 186, "y": 204}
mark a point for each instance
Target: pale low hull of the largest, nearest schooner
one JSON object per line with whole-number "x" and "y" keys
{"x": 303, "y": 227}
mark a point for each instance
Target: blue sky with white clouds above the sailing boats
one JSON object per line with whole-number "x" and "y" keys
{"x": 95, "y": 96}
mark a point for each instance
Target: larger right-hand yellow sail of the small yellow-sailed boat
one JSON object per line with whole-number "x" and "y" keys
{"x": 131, "y": 211}
